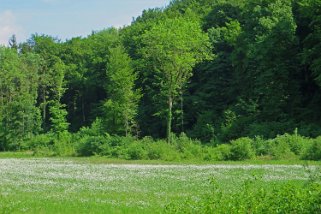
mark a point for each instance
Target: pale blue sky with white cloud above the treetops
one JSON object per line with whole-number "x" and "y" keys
{"x": 65, "y": 19}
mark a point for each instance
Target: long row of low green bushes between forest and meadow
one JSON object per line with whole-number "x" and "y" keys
{"x": 94, "y": 141}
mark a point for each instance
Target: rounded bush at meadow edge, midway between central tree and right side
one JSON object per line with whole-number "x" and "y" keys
{"x": 241, "y": 149}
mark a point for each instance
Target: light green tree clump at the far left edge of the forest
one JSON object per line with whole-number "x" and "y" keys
{"x": 19, "y": 118}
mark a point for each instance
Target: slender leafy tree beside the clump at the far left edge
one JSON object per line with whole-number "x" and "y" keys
{"x": 52, "y": 83}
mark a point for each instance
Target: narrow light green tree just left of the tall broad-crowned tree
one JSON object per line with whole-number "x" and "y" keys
{"x": 122, "y": 104}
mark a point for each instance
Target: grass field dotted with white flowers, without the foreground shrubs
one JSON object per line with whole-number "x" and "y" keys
{"x": 30, "y": 185}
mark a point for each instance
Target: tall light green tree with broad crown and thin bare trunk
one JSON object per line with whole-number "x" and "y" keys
{"x": 174, "y": 47}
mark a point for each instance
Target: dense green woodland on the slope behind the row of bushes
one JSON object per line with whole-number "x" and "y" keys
{"x": 216, "y": 70}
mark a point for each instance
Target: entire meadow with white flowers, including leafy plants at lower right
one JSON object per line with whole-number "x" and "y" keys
{"x": 60, "y": 185}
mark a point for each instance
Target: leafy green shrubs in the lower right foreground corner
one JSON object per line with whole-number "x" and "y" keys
{"x": 256, "y": 198}
